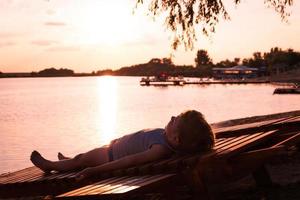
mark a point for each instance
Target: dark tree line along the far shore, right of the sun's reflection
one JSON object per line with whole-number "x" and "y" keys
{"x": 268, "y": 63}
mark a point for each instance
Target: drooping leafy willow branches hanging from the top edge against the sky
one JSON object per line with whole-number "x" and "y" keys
{"x": 182, "y": 16}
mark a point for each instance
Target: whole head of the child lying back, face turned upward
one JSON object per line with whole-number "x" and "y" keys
{"x": 190, "y": 132}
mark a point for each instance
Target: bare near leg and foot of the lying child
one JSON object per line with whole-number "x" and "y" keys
{"x": 91, "y": 158}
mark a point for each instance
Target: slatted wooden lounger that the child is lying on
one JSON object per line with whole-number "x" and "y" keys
{"x": 32, "y": 181}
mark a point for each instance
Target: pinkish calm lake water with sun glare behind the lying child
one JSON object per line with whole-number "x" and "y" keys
{"x": 73, "y": 115}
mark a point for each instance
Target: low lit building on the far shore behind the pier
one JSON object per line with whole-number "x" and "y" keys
{"x": 236, "y": 72}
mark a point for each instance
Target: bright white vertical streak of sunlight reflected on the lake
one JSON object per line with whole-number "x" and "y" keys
{"x": 108, "y": 97}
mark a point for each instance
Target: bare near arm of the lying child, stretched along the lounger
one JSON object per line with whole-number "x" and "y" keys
{"x": 154, "y": 153}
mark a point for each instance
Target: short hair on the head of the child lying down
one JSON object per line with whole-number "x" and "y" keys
{"x": 195, "y": 134}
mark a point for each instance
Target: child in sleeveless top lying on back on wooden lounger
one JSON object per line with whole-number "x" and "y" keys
{"x": 187, "y": 133}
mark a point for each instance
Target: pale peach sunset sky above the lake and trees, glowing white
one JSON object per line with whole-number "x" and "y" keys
{"x": 87, "y": 35}
